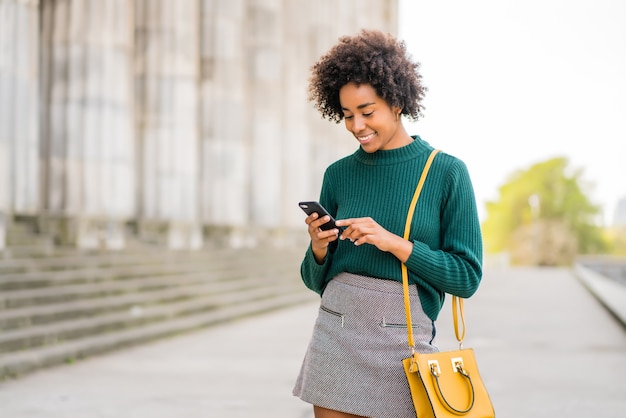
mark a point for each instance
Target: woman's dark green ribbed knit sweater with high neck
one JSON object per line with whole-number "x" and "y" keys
{"x": 445, "y": 230}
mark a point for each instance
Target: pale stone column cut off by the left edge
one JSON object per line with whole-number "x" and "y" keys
{"x": 19, "y": 139}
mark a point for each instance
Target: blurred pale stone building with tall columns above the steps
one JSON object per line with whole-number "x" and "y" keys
{"x": 175, "y": 121}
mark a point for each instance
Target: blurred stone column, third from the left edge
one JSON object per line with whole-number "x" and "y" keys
{"x": 167, "y": 74}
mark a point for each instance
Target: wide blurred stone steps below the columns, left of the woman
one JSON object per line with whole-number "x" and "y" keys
{"x": 63, "y": 305}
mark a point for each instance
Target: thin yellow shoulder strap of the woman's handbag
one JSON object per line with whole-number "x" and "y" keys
{"x": 457, "y": 303}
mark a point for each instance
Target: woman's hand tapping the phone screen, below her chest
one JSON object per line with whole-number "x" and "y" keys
{"x": 368, "y": 231}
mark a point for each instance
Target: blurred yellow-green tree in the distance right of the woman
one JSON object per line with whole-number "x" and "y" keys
{"x": 543, "y": 216}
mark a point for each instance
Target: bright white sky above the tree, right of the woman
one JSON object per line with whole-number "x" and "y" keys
{"x": 512, "y": 83}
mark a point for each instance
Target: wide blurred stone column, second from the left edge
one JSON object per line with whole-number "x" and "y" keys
{"x": 88, "y": 149}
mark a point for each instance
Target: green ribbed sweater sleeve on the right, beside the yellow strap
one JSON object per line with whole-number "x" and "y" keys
{"x": 456, "y": 266}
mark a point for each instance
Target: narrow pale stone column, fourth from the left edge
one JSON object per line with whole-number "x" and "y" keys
{"x": 225, "y": 114}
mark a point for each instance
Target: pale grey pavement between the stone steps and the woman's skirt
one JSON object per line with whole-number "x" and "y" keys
{"x": 240, "y": 369}
